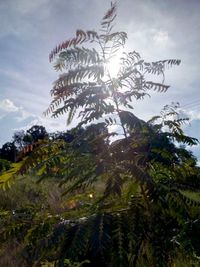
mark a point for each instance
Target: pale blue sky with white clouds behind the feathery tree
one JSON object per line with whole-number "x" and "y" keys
{"x": 157, "y": 29}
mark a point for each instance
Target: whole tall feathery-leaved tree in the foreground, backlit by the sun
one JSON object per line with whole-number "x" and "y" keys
{"x": 146, "y": 155}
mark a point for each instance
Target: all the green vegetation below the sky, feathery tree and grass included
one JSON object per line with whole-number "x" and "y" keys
{"x": 124, "y": 198}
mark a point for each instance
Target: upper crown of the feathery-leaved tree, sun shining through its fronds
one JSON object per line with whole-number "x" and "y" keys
{"x": 86, "y": 86}
